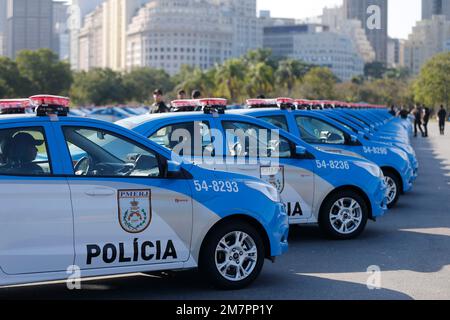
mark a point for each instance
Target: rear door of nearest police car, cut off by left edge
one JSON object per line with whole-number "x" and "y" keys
{"x": 36, "y": 229}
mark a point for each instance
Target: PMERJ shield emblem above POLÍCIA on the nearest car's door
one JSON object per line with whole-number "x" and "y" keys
{"x": 135, "y": 211}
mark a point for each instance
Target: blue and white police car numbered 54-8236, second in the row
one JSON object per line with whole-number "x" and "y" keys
{"x": 339, "y": 192}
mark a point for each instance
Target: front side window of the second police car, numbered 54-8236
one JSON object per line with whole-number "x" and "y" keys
{"x": 249, "y": 140}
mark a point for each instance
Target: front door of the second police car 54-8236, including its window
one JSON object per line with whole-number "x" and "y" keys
{"x": 293, "y": 177}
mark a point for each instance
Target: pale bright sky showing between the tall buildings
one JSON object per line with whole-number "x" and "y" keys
{"x": 403, "y": 14}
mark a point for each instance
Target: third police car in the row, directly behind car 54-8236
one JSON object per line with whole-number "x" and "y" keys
{"x": 326, "y": 134}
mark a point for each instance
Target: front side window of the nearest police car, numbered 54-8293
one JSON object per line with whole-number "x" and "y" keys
{"x": 103, "y": 154}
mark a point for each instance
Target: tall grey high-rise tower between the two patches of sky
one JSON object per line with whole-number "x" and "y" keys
{"x": 374, "y": 16}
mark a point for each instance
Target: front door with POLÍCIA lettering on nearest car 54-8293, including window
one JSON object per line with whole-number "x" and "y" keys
{"x": 127, "y": 212}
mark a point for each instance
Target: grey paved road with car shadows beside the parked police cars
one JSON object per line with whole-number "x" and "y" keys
{"x": 411, "y": 246}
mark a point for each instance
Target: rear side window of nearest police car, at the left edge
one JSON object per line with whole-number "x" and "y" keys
{"x": 23, "y": 151}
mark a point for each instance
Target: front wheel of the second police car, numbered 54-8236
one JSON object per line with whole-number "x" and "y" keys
{"x": 343, "y": 215}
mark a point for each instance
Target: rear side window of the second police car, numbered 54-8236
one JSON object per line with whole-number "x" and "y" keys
{"x": 181, "y": 138}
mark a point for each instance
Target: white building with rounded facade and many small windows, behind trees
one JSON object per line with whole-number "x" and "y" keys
{"x": 167, "y": 34}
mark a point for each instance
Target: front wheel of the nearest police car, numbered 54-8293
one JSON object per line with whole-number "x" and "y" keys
{"x": 220, "y": 263}
